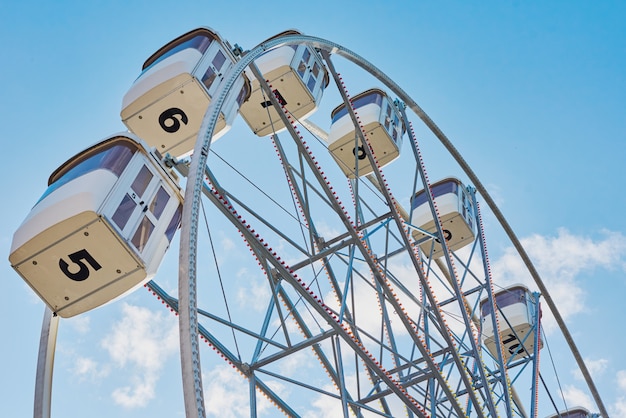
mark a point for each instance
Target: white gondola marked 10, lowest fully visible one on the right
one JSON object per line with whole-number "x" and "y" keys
{"x": 517, "y": 322}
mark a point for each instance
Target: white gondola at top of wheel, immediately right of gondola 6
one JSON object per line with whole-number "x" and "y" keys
{"x": 297, "y": 77}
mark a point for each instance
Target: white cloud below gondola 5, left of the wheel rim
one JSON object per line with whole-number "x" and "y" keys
{"x": 139, "y": 343}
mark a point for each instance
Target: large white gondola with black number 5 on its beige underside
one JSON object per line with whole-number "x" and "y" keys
{"x": 101, "y": 228}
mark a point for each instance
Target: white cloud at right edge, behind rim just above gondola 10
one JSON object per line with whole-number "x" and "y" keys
{"x": 559, "y": 261}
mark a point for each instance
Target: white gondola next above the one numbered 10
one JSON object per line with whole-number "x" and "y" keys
{"x": 456, "y": 212}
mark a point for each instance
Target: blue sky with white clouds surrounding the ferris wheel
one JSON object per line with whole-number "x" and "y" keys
{"x": 531, "y": 93}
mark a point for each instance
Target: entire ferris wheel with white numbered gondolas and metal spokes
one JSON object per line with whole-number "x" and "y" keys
{"x": 317, "y": 258}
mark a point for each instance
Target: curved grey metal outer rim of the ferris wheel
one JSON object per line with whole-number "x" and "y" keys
{"x": 192, "y": 387}
